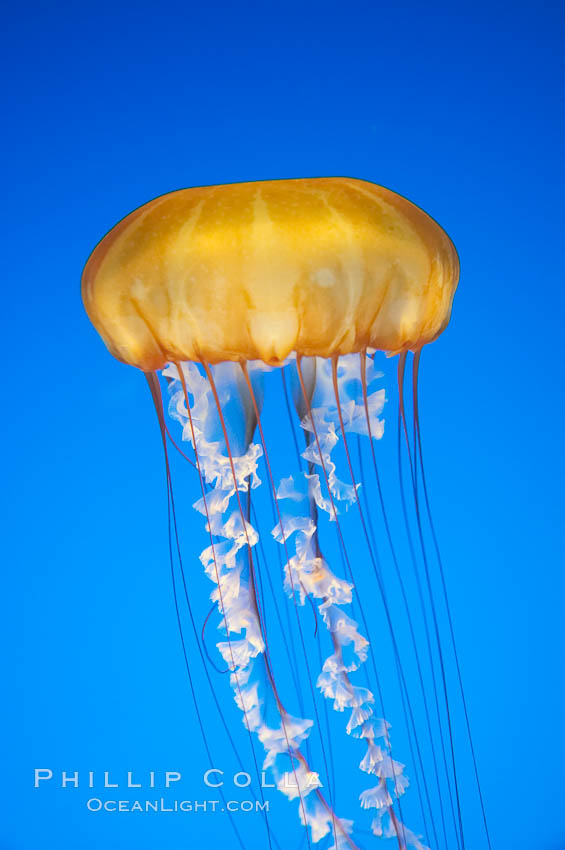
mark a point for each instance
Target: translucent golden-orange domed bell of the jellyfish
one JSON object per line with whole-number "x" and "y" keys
{"x": 255, "y": 271}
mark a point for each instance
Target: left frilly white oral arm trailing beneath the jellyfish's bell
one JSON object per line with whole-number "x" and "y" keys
{"x": 229, "y": 565}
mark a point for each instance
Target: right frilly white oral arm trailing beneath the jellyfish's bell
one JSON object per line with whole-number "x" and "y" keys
{"x": 309, "y": 571}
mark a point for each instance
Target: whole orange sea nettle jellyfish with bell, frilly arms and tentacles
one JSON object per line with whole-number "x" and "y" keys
{"x": 276, "y": 295}
